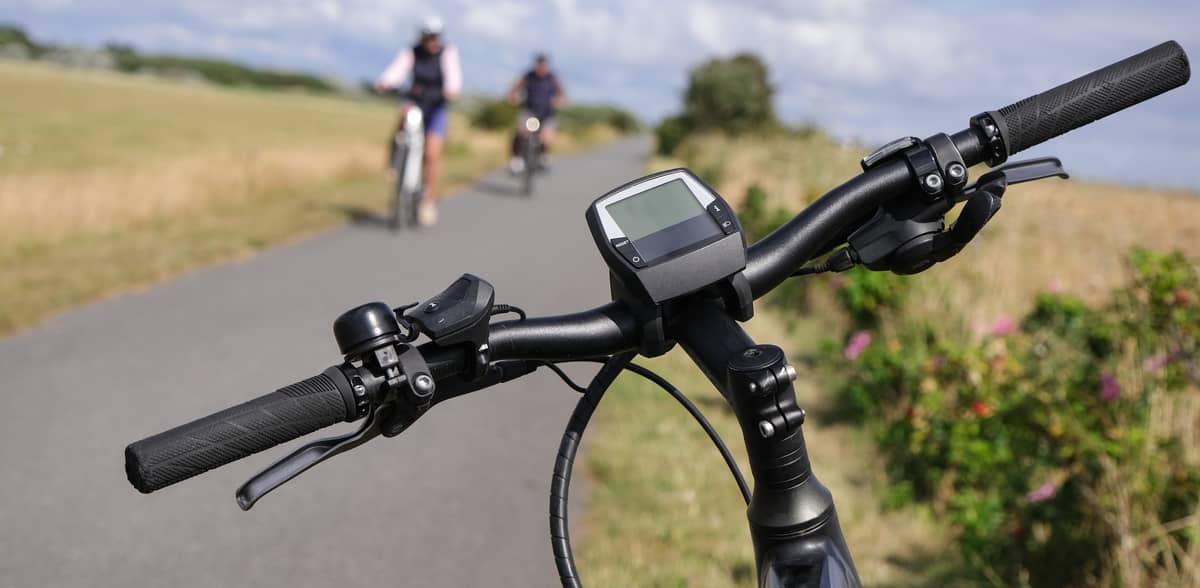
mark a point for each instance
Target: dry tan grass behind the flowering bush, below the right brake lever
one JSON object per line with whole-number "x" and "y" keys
{"x": 1059, "y": 236}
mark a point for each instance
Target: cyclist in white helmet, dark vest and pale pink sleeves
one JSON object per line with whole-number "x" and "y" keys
{"x": 437, "y": 80}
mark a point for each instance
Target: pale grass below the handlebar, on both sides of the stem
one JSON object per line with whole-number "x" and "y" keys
{"x": 663, "y": 509}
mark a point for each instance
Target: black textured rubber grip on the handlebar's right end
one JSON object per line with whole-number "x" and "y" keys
{"x": 1094, "y": 97}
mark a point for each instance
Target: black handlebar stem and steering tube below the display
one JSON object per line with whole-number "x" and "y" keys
{"x": 794, "y": 523}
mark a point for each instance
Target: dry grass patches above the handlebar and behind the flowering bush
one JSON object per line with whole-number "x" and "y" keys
{"x": 1051, "y": 236}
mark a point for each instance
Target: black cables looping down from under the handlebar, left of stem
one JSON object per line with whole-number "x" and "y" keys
{"x": 560, "y": 530}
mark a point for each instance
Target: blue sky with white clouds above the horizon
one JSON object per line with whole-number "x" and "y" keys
{"x": 865, "y": 70}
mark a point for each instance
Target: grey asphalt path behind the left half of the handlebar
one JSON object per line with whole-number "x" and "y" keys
{"x": 460, "y": 500}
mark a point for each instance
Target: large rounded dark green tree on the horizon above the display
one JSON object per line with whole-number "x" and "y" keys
{"x": 733, "y": 95}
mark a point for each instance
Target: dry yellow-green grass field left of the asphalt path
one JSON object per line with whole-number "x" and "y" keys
{"x": 110, "y": 182}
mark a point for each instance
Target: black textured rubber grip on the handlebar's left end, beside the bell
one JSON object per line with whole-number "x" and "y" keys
{"x": 291, "y": 412}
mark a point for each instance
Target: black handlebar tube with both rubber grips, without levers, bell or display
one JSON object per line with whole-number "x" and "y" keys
{"x": 301, "y": 409}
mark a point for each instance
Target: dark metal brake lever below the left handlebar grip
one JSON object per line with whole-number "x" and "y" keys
{"x": 310, "y": 455}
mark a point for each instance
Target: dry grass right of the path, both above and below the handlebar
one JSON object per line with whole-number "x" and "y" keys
{"x": 664, "y": 513}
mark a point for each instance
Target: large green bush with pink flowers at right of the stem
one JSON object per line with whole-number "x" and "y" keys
{"x": 1063, "y": 448}
